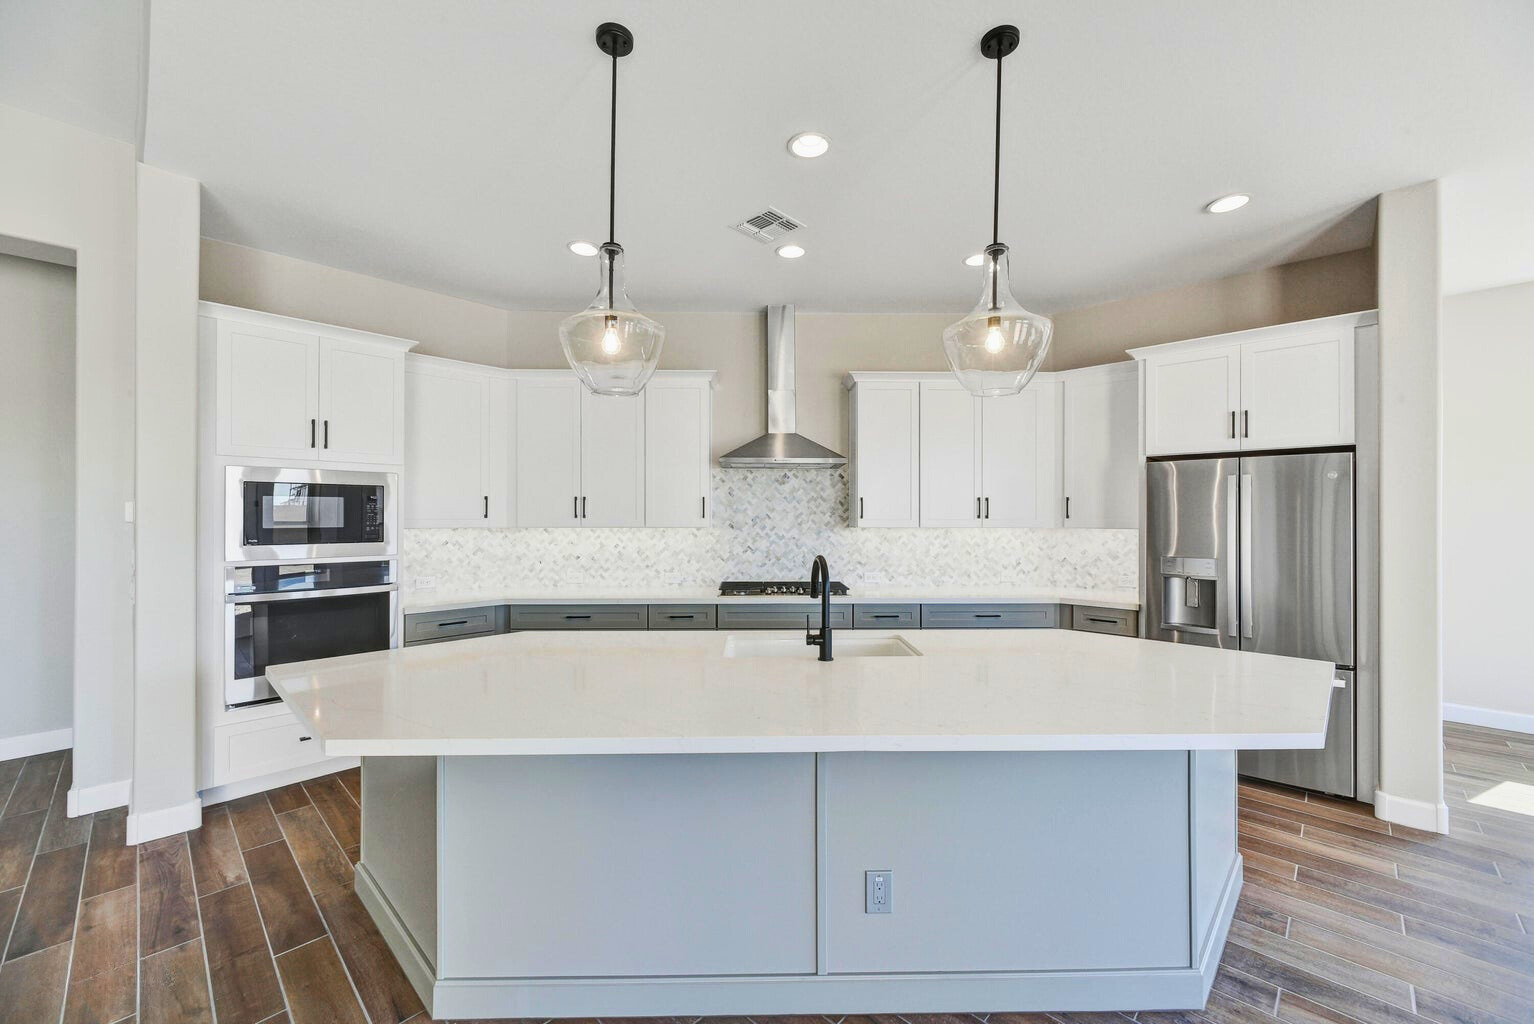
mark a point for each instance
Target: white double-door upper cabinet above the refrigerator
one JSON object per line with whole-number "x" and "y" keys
{"x": 1268, "y": 389}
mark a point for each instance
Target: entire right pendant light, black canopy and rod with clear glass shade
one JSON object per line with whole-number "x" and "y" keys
{"x": 999, "y": 347}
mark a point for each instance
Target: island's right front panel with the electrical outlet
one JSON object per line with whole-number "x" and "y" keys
{"x": 1009, "y": 861}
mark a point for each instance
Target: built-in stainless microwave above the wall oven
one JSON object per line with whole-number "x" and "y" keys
{"x": 274, "y": 514}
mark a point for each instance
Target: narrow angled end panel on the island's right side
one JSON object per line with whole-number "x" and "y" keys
{"x": 1214, "y": 789}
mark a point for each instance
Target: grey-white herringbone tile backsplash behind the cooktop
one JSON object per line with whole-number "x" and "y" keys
{"x": 769, "y": 523}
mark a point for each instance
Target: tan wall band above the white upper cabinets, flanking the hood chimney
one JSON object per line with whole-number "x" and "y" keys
{"x": 734, "y": 344}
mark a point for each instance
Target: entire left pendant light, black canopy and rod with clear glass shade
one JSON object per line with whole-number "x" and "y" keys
{"x": 611, "y": 346}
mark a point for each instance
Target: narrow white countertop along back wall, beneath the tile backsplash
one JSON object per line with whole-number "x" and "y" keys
{"x": 444, "y": 602}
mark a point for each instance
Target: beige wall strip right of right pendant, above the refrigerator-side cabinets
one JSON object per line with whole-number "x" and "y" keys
{"x": 1280, "y": 295}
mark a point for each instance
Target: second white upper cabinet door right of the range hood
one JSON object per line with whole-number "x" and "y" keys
{"x": 950, "y": 456}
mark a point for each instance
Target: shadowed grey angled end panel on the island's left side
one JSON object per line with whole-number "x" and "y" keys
{"x": 400, "y": 845}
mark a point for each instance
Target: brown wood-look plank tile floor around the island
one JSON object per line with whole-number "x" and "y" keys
{"x": 251, "y": 919}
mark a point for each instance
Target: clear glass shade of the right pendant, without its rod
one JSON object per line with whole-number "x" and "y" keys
{"x": 1001, "y": 346}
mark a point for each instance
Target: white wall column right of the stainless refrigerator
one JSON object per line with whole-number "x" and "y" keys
{"x": 1411, "y": 445}
